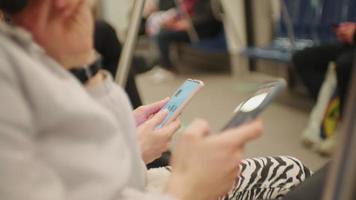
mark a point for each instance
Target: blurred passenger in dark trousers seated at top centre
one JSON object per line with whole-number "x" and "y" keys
{"x": 173, "y": 26}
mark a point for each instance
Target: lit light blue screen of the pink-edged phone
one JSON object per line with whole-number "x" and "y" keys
{"x": 179, "y": 98}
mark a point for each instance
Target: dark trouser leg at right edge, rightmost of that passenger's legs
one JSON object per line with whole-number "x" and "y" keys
{"x": 344, "y": 65}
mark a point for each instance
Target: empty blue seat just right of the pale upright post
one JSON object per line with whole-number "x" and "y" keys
{"x": 303, "y": 20}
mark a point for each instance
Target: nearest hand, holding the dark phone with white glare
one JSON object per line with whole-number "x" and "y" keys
{"x": 205, "y": 168}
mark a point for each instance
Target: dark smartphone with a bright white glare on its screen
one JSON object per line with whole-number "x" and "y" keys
{"x": 249, "y": 109}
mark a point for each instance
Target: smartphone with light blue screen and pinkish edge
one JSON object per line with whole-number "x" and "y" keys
{"x": 180, "y": 99}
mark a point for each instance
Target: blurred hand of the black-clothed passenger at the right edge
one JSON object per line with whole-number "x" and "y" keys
{"x": 345, "y": 32}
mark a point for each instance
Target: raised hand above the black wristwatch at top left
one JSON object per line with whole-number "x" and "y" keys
{"x": 71, "y": 35}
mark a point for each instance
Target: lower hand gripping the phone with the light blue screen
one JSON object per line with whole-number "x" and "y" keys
{"x": 153, "y": 142}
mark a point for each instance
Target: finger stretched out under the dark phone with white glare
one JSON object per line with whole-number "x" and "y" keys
{"x": 239, "y": 136}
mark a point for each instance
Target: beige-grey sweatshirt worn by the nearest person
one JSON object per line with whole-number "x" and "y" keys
{"x": 59, "y": 141}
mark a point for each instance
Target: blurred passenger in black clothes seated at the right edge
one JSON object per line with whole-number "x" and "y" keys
{"x": 311, "y": 63}
